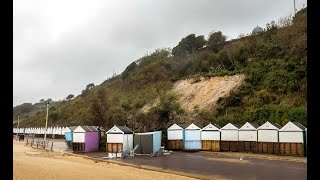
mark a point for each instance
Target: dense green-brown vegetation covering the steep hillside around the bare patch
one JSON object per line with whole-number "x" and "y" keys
{"x": 275, "y": 87}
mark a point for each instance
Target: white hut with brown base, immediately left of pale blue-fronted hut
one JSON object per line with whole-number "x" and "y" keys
{"x": 175, "y": 135}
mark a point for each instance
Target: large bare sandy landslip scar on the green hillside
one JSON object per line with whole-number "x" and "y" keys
{"x": 206, "y": 92}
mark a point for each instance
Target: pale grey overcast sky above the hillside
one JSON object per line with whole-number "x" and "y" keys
{"x": 60, "y": 46}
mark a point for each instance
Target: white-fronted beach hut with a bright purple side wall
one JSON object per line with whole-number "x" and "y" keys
{"x": 85, "y": 139}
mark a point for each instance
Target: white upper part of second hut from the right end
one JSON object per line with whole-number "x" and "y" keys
{"x": 268, "y": 132}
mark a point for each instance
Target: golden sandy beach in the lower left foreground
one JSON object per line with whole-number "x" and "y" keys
{"x": 31, "y": 163}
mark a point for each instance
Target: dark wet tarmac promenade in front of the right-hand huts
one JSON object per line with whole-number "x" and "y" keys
{"x": 212, "y": 166}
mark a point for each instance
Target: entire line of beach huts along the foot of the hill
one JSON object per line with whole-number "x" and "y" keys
{"x": 269, "y": 138}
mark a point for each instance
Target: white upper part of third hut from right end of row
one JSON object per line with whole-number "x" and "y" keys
{"x": 248, "y": 132}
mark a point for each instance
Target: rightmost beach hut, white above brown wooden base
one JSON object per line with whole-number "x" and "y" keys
{"x": 292, "y": 139}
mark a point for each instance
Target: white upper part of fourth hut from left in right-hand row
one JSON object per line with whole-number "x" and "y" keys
{"x": 229, "y": 132}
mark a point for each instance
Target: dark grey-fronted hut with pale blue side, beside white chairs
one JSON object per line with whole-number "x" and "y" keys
{"x": 149, "y": 142}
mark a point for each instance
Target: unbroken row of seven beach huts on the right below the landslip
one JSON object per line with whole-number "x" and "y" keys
{"x": 269, "y": 138}
